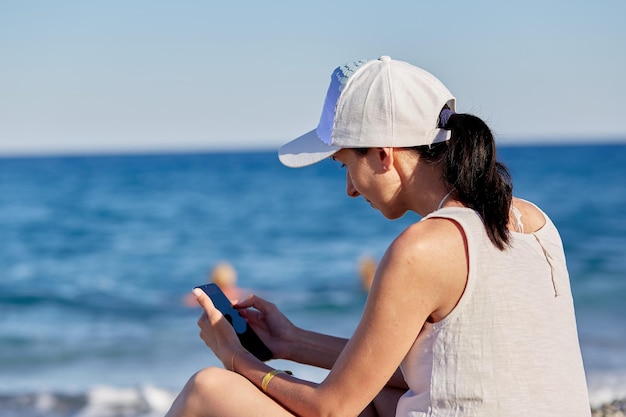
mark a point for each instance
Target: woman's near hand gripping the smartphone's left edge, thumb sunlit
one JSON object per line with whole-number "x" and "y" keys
{"x": 215, "y": 330}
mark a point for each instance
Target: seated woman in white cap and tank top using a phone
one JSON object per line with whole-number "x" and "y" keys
{"x": 470, "y": 312}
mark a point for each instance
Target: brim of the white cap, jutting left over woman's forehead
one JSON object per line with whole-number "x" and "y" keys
{"x": 308, "y": 149}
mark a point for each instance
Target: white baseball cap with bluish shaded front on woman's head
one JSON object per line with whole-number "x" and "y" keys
{"x": 371, "y": 104}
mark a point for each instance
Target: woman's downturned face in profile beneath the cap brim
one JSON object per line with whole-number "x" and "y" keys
{"x": 369, "y": 177}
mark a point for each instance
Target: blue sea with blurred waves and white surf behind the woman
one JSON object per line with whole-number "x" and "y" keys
{"x": 98, "y": 252}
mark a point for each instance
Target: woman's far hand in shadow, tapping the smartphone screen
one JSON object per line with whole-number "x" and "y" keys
{"x": 270, "y": 324}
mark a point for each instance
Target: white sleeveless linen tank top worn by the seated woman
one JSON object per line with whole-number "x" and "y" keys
{"x": 510, "y": 346}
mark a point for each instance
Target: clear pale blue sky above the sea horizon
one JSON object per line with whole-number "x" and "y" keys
{"x": 150, "y": 75}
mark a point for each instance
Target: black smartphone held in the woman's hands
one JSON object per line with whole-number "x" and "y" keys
{"x": 249, "y": 339}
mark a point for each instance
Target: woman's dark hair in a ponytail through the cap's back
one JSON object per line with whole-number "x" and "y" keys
{"x": 470, "y": 167}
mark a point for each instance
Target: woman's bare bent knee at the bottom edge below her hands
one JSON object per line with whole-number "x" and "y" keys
{"x": 218, "y": 392}
